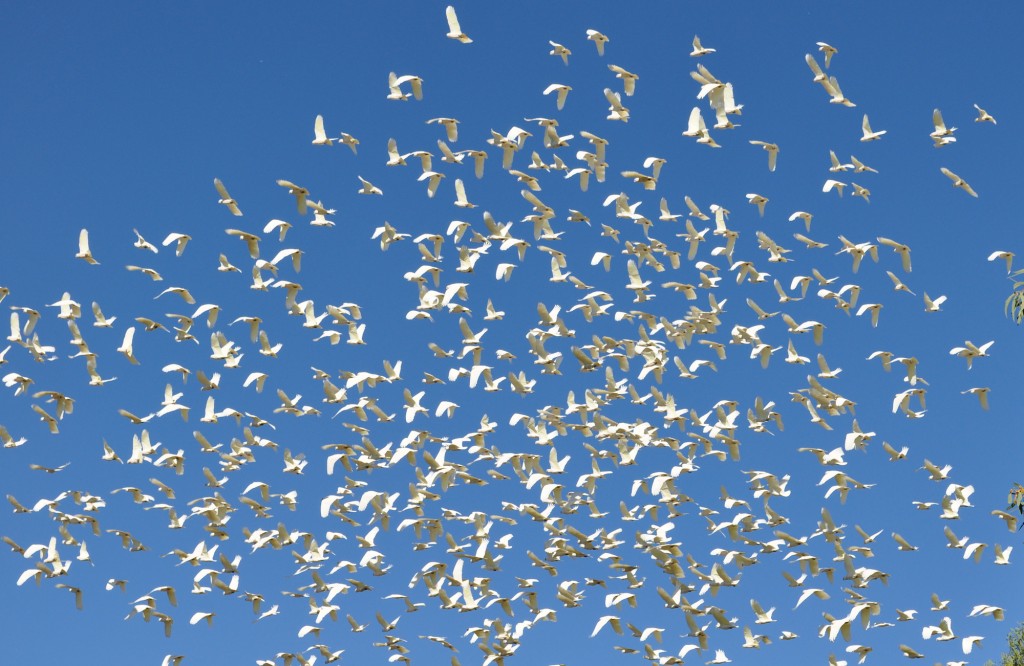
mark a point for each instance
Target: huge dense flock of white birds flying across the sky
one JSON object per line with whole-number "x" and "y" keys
{"x": 464, "y": 554}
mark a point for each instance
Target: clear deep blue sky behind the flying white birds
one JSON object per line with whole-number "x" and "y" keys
{"x": 120, "y": 117}
